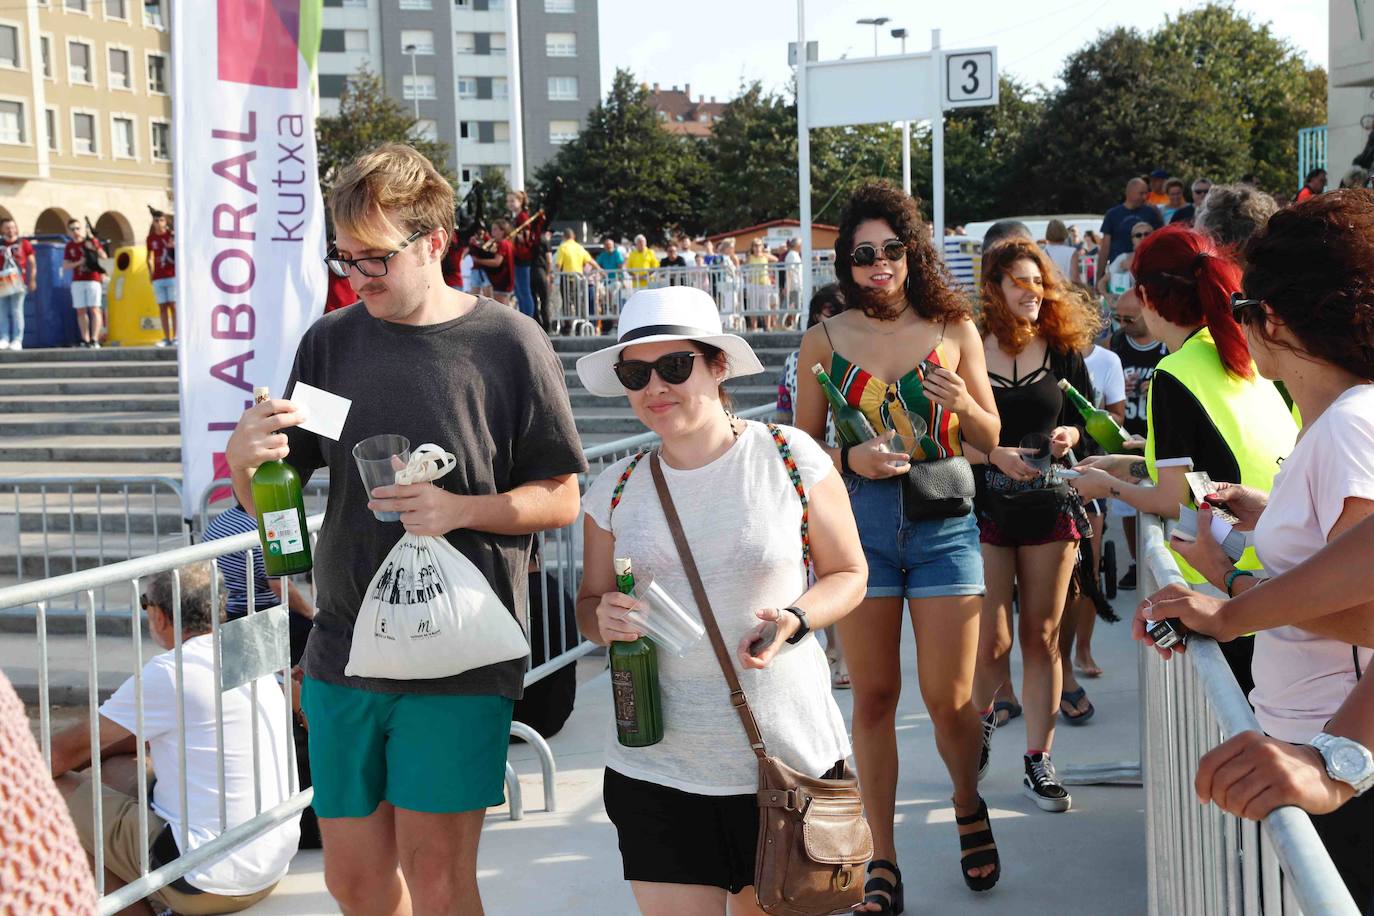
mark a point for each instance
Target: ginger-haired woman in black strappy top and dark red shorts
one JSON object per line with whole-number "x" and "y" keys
{"x": 1034, "y": 330}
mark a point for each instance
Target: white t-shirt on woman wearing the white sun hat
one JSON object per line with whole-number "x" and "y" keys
{"x": 743, "y": 518}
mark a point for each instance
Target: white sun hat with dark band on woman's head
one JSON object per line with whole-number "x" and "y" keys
{"x": 667, "y": 314}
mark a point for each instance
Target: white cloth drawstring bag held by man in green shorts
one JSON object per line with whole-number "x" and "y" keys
{"x": 429, "y": 612}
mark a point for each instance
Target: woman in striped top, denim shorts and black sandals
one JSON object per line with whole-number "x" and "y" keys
{"x": 906, "y": 347}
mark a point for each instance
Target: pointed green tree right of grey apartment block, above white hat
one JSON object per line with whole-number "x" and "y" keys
{"x": 624, "y": 174}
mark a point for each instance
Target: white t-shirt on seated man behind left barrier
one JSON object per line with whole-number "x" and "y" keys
{"x": 263, "y": 862}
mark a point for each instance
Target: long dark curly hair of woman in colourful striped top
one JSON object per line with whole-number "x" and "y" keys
{"x": 930, "y": 289}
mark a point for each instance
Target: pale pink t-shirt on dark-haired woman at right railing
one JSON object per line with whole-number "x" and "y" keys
{"x": 1302, "y": 679}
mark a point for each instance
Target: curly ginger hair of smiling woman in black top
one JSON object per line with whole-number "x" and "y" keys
{"x": 1068, "y": 319}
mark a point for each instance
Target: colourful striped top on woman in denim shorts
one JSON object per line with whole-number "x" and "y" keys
{"x": 876, "y": 398}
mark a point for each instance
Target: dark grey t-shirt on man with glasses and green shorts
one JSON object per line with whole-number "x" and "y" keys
{"x": 486, "y": 387}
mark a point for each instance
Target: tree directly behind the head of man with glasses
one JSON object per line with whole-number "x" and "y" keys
{"x": 366, "y": 120}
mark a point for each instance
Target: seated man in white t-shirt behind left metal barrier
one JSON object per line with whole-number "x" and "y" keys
{"x": 234, "y": 880}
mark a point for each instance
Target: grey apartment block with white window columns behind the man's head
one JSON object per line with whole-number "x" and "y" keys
{"x": 499, "y": 105}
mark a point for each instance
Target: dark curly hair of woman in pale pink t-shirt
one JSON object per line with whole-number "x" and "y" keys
{"x": 1314, "y": 266}
